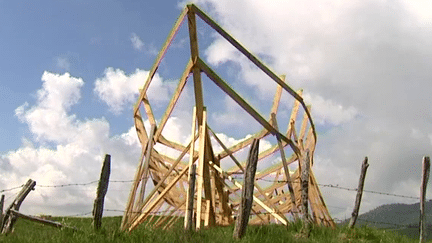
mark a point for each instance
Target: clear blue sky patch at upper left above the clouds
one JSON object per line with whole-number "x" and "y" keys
{"x": 79, "y": 37}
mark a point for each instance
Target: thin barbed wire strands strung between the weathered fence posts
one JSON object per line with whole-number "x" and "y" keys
{"x": 14, "y": 192}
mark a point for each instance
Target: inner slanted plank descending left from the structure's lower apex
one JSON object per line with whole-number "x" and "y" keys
{"x": 173, "y": 100}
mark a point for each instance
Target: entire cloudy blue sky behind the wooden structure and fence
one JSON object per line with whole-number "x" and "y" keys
{"x": 70, "y": 72}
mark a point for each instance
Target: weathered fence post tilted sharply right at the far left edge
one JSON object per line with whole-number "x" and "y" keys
{"x": 9, "y": 218}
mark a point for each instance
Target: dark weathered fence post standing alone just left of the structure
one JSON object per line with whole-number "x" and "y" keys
{"x": 101, "y": 192}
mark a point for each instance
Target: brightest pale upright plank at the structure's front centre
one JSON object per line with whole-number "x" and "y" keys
{"x": 201, "y": 161}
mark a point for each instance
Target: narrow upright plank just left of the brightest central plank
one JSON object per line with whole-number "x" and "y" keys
{"x": 192, "y": 173}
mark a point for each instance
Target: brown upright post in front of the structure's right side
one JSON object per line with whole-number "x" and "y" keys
{"x": 305, "y": 185}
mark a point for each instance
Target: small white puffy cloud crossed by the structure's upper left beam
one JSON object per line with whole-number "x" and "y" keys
{"x": 118, "y": 90}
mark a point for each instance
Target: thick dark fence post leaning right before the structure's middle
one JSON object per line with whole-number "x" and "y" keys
{"x": 247, "y": 191}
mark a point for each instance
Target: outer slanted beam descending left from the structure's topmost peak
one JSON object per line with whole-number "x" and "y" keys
{"x": 159, "y": 58}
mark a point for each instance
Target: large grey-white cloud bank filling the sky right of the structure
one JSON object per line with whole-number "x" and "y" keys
{"x": 362, "y": 65}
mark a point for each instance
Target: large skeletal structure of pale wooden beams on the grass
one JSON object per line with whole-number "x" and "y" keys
{"x": 277, "y": 195}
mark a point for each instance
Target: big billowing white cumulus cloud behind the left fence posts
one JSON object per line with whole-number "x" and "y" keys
{"x": 73, "y": 154}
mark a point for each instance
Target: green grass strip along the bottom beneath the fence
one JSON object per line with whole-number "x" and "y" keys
{"x": 26, "y": 231}
